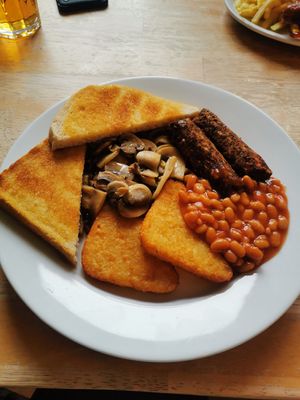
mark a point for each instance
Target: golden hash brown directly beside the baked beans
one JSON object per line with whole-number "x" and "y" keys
{"x": 164, "y": 234}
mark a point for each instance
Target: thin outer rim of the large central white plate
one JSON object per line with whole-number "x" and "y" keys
{"x": 169, "y": 358}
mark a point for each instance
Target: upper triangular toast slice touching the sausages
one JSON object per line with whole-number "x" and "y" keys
{"x": 96, "y": 112}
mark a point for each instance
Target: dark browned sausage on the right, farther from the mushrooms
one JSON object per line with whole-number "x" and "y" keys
{"x": 240, "y": 156}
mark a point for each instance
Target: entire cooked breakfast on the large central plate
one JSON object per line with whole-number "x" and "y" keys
{"x": 149, "y": 185}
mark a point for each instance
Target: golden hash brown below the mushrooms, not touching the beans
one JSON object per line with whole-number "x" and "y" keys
{"x": 113, "y": 253}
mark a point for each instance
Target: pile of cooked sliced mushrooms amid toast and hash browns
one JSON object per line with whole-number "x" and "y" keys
{"x": 131, "y": 171}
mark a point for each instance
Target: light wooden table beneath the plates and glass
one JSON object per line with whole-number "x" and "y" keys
{"x": 190, "y": 39}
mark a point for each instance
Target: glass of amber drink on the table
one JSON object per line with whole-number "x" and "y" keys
{"x": 18, "y": 18}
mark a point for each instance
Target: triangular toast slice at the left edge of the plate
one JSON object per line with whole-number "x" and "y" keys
{"x": 43, "y": 190}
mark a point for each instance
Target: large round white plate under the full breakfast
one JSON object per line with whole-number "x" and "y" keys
{"x": 199, "y": 319}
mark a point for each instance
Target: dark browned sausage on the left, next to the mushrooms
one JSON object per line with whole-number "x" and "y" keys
{"x": 202, "y": 157}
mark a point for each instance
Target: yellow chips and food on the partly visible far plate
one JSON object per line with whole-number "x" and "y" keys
{"x": 272, "y": 14}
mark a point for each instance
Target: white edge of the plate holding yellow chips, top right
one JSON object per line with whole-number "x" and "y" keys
{"x": 280, "y": 37}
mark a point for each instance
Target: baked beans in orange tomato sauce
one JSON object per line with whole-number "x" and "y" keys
{"x": 247, "y": 228}
